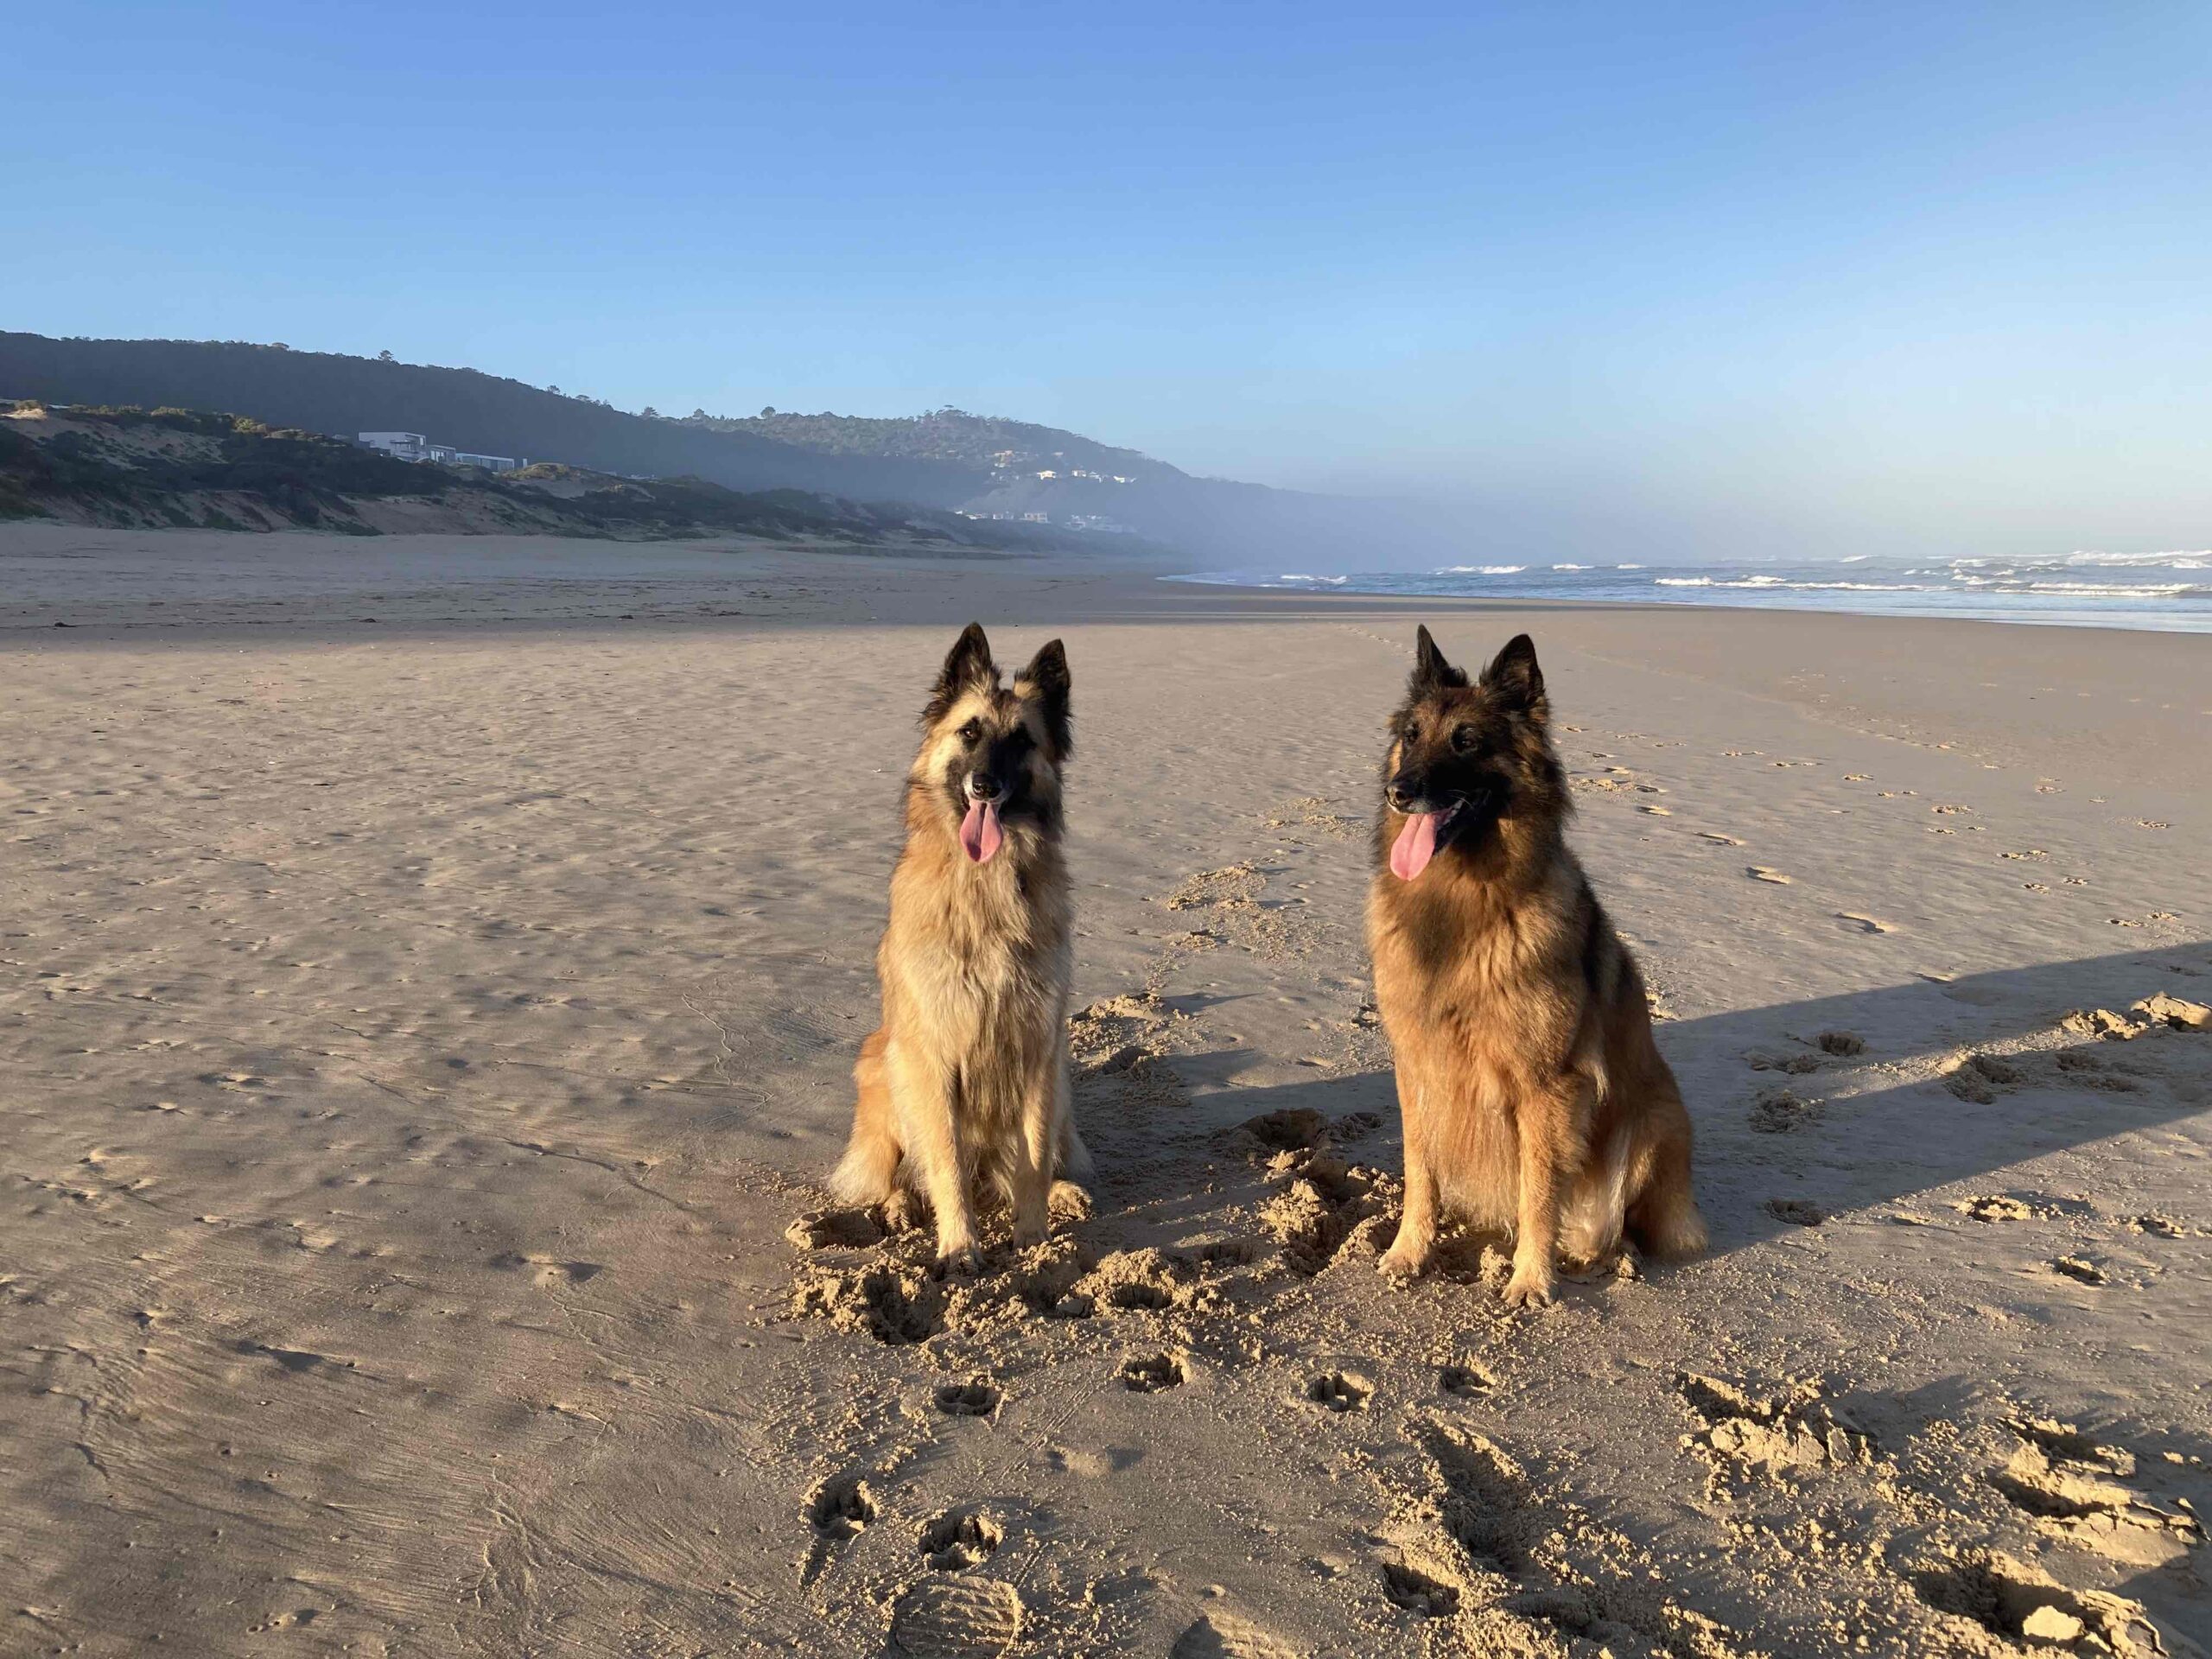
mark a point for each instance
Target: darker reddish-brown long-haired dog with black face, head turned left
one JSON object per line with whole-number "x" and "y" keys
{"x": 1530, "y": 1085}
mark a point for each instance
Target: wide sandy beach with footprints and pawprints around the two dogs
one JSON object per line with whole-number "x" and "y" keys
{"x": 421, "y": 1043}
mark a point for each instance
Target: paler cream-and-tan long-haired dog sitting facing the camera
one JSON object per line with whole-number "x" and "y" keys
{"x": 966, "y": 1085}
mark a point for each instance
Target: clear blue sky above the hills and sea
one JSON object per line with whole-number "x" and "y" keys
{"x": 1698, "y": 278}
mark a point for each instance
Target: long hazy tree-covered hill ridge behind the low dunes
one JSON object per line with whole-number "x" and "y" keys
{"x": 1001, "y": 470}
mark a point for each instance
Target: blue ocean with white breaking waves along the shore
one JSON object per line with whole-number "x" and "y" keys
{"x": 2164, "y": 592}
